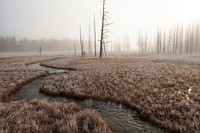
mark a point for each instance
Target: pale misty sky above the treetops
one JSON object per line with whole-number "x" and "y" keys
{"x": 62, "y": 18}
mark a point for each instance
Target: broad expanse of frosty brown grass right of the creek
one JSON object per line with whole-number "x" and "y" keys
{"x": 164, "y": 90}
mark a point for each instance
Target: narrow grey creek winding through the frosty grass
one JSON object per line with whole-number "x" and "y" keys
{"x": 120, "y": 118}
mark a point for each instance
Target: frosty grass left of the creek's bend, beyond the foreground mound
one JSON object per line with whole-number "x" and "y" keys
{"x": 14, "y": 73}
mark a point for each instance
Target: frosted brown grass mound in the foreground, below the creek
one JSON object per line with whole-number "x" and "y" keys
{"x": 43, "y": 117}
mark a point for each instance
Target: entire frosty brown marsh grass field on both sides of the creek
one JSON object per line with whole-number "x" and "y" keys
{"x": 163, "y": 89}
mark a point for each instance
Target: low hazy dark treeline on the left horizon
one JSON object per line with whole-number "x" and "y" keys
{"x": 11, "y": 44}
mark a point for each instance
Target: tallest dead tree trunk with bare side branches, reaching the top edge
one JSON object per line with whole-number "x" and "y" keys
{"x": 104, "y": 28}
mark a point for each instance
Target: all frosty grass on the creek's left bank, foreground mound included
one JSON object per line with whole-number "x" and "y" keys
{"x": 40, "y": 116}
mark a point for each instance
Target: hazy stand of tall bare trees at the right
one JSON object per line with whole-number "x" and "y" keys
{"x": 179, "y": 39}
